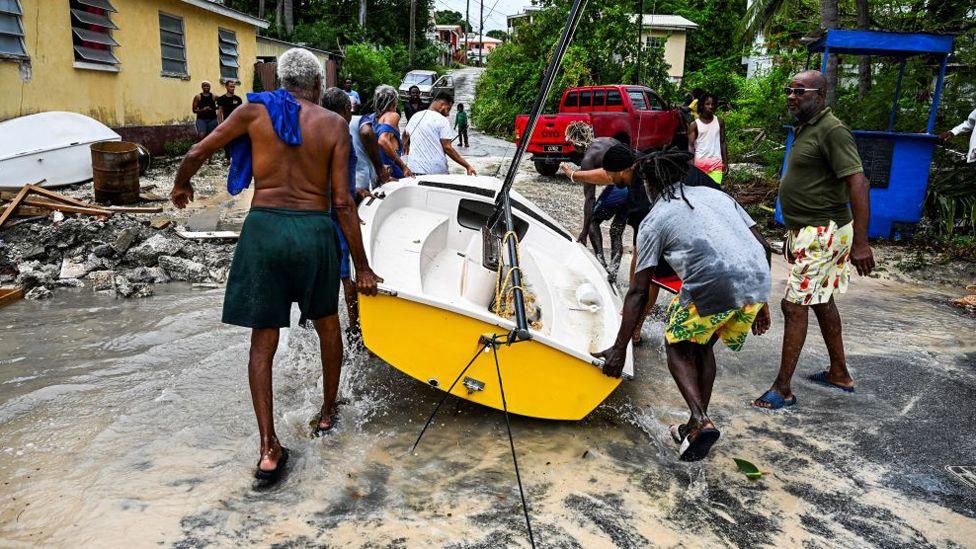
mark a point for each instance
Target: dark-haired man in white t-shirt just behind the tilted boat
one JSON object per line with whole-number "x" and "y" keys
{"x": 428, "y": 139}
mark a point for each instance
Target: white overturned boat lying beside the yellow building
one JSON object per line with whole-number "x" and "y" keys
{"x": 50, "y": 146}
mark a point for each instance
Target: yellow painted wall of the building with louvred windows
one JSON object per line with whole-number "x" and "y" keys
{"x": 137, "y": 95}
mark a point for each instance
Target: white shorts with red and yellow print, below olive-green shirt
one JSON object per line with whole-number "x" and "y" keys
{"x": 820, "y": 263}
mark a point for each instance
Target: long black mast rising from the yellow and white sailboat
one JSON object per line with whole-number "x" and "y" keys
{"x": 503, "y": 205}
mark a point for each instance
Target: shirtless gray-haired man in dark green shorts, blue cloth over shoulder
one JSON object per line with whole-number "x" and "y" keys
{"x": 287, "y": 249}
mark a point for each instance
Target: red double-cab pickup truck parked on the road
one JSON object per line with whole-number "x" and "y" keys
{"x": 635, "y": 115}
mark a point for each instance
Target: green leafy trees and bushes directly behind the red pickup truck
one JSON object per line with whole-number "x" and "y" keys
{"x": 603, "y": 52}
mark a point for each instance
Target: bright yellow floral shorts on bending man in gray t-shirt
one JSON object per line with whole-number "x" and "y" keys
{"x": 732, "y": 326}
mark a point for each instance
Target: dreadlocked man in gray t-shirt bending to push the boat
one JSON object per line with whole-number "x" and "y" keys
{"x": 723, "y": 262}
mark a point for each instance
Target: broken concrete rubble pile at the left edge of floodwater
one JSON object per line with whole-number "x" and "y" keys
{"x": 123, "y": 255}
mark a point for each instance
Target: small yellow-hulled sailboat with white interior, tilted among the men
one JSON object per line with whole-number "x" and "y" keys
{"x": 424, "y": 238}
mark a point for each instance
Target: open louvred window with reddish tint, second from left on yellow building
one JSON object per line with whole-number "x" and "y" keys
{"x": 91, "y": 32}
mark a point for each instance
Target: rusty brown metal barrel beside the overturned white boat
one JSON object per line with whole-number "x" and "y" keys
{"x": 115, "y": 170}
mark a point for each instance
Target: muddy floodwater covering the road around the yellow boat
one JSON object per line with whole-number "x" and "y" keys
{"x": 129, "y": 423}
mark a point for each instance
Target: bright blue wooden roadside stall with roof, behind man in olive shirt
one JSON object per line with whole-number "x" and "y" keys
{"x": 896, "y": 163}
